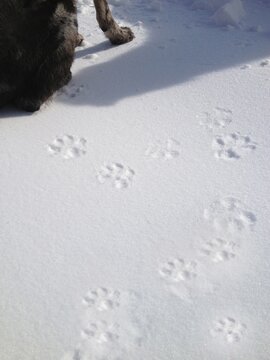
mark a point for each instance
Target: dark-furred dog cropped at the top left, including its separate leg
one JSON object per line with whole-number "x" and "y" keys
{"x": 37, "y": 41}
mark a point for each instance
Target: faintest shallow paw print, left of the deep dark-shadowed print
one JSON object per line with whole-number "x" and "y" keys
{"x": 169, "y": 149}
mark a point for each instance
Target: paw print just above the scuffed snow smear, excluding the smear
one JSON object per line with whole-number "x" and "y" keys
{"x": 177, "y": 270}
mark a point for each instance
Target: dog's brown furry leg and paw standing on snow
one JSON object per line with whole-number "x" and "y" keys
{"x": 116, "y": 34}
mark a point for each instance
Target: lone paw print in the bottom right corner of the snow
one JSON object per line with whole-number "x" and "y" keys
{"x": 229, "y": 329}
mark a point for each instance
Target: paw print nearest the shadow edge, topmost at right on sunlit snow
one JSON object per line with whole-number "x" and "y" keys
{"x": 219, "y": 118}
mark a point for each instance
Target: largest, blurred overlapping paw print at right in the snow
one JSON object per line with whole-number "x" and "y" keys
{"x": 229, "y": 215}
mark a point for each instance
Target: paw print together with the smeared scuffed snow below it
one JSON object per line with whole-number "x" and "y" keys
{"x": 184, "y": 278}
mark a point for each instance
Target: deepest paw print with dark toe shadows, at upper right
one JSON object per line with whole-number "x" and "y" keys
{"x": 232, "y": 147}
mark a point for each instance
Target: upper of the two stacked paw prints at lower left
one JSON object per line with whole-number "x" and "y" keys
{"x": 102, "y": 299}
